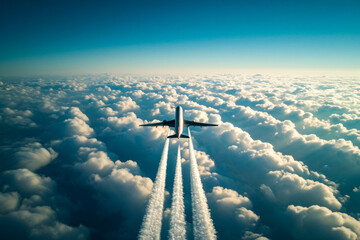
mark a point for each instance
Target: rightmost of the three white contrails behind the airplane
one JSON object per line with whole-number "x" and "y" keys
{"x": 202, "y": 222}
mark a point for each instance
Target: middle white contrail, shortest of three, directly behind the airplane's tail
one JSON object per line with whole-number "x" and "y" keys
{"x": 177, "y": 220}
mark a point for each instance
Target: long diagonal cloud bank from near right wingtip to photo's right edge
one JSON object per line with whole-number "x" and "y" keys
{"x": 317, "y": 153}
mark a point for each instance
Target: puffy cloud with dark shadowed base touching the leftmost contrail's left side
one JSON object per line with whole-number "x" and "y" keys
{"x": 123, "y": 194}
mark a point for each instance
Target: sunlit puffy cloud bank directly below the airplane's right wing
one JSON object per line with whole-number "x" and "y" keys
{"x": 237, "y": 144}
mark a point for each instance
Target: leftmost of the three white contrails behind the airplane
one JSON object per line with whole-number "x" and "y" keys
{"x": 151, "y": 226}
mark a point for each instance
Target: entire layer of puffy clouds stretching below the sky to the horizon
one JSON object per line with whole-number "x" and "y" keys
{"x": 284, "y": 162}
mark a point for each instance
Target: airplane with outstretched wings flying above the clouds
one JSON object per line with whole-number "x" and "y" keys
{"x": 178, "y": 123}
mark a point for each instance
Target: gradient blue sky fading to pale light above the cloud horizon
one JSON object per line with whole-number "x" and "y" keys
{"x": 47, "y": 37}
